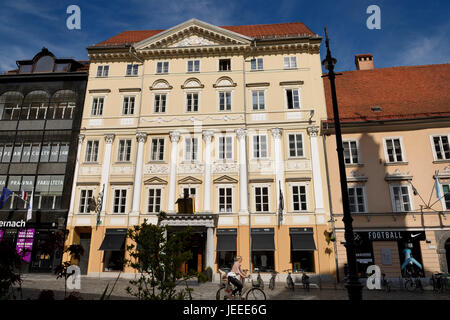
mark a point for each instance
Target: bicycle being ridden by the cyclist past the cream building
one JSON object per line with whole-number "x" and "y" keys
{"x": 249, "y": 290}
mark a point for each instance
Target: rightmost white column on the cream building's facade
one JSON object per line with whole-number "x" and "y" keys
{"x": 317, "y": 175}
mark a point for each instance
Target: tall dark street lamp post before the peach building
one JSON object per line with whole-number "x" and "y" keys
{"x": 353, "y": 285}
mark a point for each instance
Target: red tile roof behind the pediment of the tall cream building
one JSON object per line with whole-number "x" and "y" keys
{"x": 256, "y": 31}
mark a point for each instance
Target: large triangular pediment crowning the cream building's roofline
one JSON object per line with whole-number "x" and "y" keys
{"x": 193, "y": 33}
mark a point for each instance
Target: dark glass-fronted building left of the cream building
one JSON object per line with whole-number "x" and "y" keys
{"x": 40, "y": 115}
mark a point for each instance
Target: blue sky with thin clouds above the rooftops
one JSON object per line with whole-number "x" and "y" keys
{"x": 412, "y": 32}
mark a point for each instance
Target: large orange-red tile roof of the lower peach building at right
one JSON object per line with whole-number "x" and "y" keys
{"x": 401, "y": 92}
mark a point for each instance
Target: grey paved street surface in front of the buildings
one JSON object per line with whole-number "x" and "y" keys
{"x": 92, "y": 288}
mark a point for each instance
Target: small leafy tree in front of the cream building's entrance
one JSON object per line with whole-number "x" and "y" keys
{"x": 158, "y": 258}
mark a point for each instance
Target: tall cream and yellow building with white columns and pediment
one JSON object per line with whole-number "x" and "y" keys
{"x": 229, "y": 115}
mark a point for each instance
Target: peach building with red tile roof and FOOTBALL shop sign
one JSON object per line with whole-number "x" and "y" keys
{"x": 396, "y": 130}
